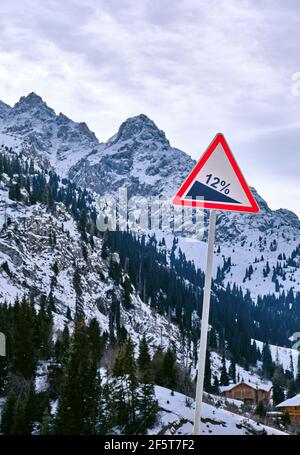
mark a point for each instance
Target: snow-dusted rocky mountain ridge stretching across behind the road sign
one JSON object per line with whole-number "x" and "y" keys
{"x": 140, "y": 158}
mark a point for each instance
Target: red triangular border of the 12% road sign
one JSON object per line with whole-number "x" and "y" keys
{"x": 219, "y": 139}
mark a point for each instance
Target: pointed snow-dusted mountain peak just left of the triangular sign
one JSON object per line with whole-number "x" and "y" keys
{"x": 138, "y": 157}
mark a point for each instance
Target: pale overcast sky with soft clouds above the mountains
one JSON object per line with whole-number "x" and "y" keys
{"x": 195, "y": 67}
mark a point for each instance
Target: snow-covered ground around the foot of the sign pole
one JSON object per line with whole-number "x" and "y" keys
{"x": 176, "y": 418}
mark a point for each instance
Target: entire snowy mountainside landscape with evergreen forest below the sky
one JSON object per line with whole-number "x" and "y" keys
{"x": 102, "y": 328}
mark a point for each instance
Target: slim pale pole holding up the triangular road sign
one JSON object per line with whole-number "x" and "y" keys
{"x": 204, "y": 322}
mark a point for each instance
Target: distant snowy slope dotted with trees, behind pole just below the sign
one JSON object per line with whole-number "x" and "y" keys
{"x": 247, "y": 250}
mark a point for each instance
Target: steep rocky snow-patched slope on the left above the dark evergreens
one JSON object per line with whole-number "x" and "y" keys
{"x": 26, "y": 248}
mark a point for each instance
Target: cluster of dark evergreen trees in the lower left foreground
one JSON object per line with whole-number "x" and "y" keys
{"x": 86, "y": 403}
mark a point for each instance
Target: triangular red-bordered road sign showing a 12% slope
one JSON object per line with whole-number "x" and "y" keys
{"x": 216, "y": 182}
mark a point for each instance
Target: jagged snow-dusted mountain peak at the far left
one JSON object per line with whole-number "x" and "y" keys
{"x": 59, "y": 141}
